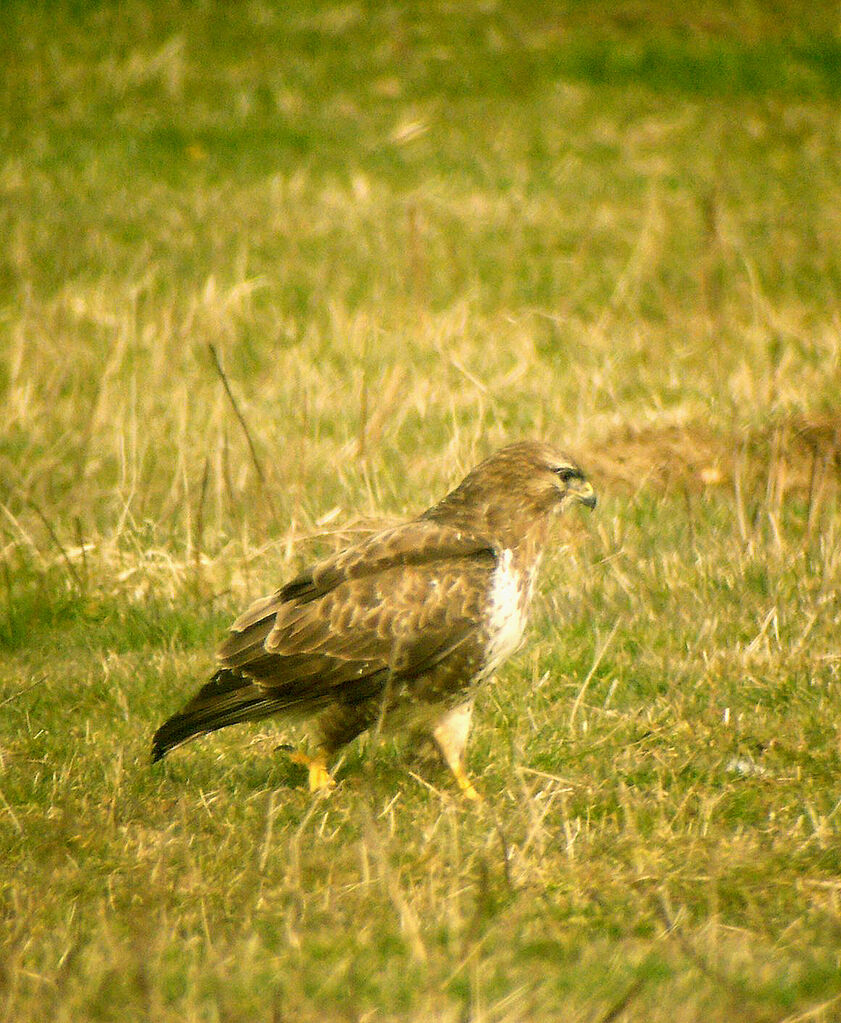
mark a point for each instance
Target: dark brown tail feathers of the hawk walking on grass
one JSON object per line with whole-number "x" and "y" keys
{"x": 228, "y": 699}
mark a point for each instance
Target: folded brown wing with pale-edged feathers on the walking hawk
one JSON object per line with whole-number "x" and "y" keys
{"x": 396, "y": 604}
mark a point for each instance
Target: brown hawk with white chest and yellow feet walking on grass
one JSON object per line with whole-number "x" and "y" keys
{"x": 399, "y": 632}
